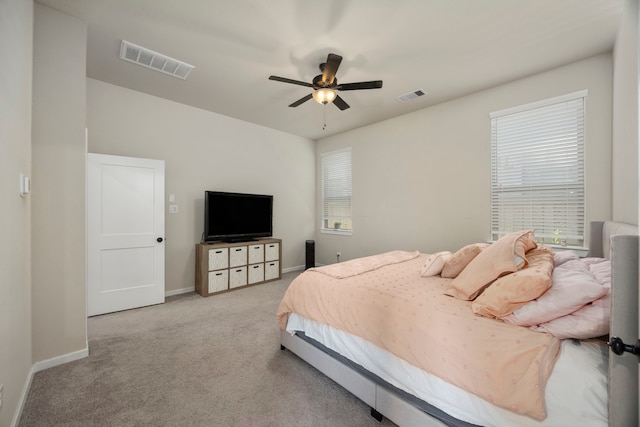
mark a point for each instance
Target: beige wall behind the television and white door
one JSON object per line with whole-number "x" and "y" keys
{"x": 207, "y": 151}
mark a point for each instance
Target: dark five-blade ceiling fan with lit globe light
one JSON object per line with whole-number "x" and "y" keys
{"x": 325, "y": 85}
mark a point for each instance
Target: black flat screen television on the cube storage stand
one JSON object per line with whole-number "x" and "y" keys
{"x": 237, "y": 217}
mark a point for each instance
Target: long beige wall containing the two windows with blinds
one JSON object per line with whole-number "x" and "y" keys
{"x": 421, "y": 181}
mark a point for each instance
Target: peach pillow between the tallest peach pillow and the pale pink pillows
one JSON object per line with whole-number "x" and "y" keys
{"x": 510, "y": 292}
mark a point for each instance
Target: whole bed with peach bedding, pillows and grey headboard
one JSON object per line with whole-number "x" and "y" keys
{"x": 478, "y": 359}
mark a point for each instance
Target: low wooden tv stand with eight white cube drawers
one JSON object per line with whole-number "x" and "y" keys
{"x": 222, "y": 267}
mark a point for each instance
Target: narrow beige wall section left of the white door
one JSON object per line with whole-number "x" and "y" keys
{"x": 58, "y": 190}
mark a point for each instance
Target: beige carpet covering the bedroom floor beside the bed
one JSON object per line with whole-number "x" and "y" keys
{"x": 192, "y": 361}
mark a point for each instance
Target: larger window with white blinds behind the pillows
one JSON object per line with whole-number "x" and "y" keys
{"x": 537, "y": 170}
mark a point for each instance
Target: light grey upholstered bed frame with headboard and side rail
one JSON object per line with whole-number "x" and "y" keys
{"x": 607, "y": 238}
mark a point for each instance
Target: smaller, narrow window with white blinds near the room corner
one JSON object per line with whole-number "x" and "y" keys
{"x": 336, "y": 192}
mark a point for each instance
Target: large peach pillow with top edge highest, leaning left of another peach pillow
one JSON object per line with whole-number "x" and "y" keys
{"x": 503, "y": 256}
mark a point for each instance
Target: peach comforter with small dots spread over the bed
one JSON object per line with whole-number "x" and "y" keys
{"x": 394, "y": 308}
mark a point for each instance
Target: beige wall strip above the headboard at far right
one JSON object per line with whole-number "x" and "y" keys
{"x": 625, "y": 118}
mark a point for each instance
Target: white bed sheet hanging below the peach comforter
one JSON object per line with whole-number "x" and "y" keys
{"x": 576, "y": 392}
